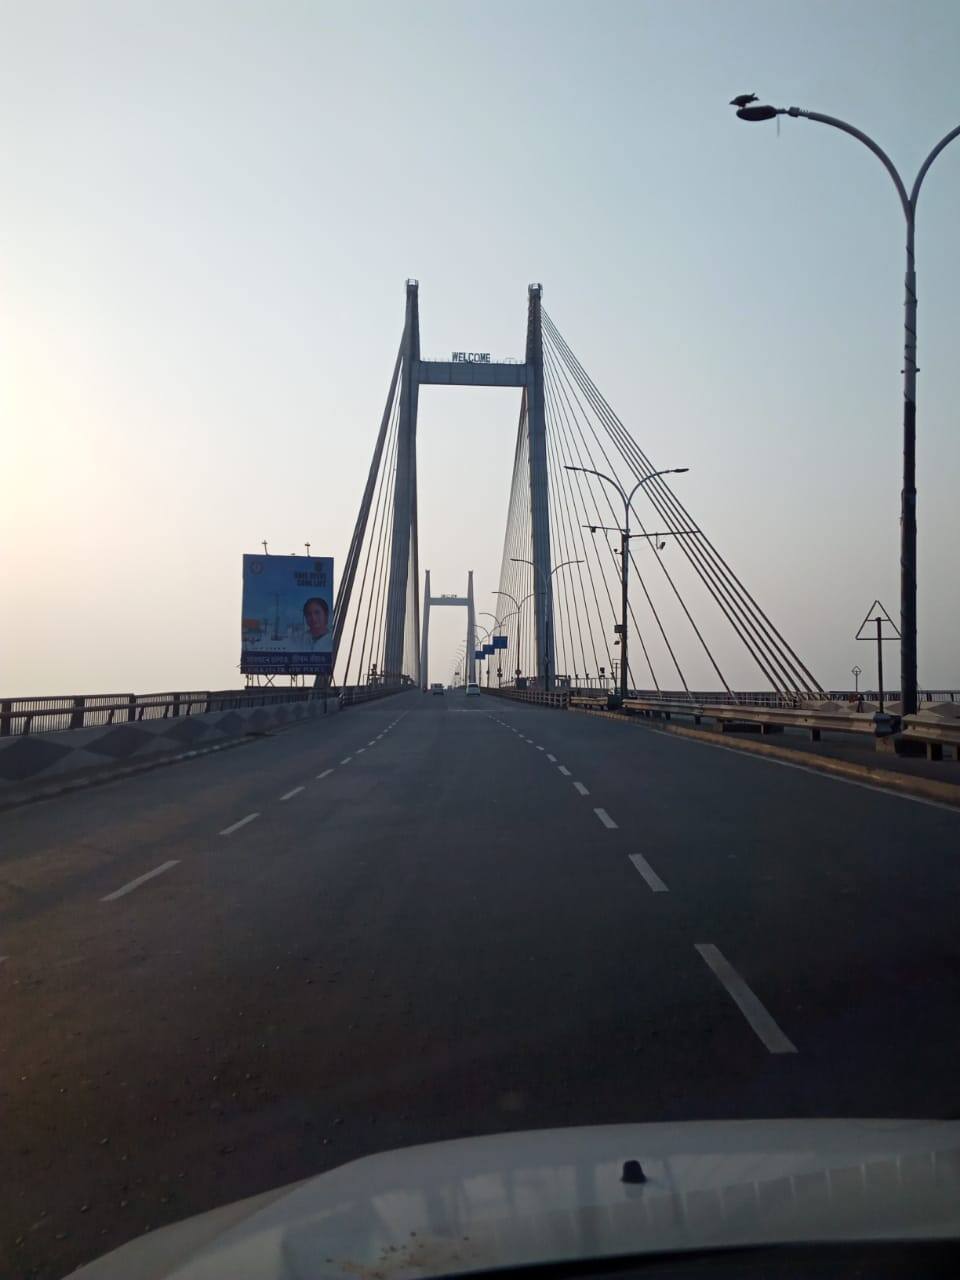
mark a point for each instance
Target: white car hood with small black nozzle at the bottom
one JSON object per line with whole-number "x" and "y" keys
{"x": 556, "y": 1195}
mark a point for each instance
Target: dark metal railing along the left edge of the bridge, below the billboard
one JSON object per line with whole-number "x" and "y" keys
{"x": 24, "y": 716}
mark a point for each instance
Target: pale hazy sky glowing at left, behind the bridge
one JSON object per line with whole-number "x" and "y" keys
{"x": 208, "y": 214}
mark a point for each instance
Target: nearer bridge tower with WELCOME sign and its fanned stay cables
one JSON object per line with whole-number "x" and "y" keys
{"x": 561, "y": 593}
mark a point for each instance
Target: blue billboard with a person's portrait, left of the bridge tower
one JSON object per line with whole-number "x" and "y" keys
{"x": 287, "y": 615}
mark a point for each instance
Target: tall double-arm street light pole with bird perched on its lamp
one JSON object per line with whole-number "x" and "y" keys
{"x": 908, "y": 493}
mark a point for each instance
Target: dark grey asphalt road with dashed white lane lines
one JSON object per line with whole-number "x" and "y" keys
{"x": 447, "y": 917}
